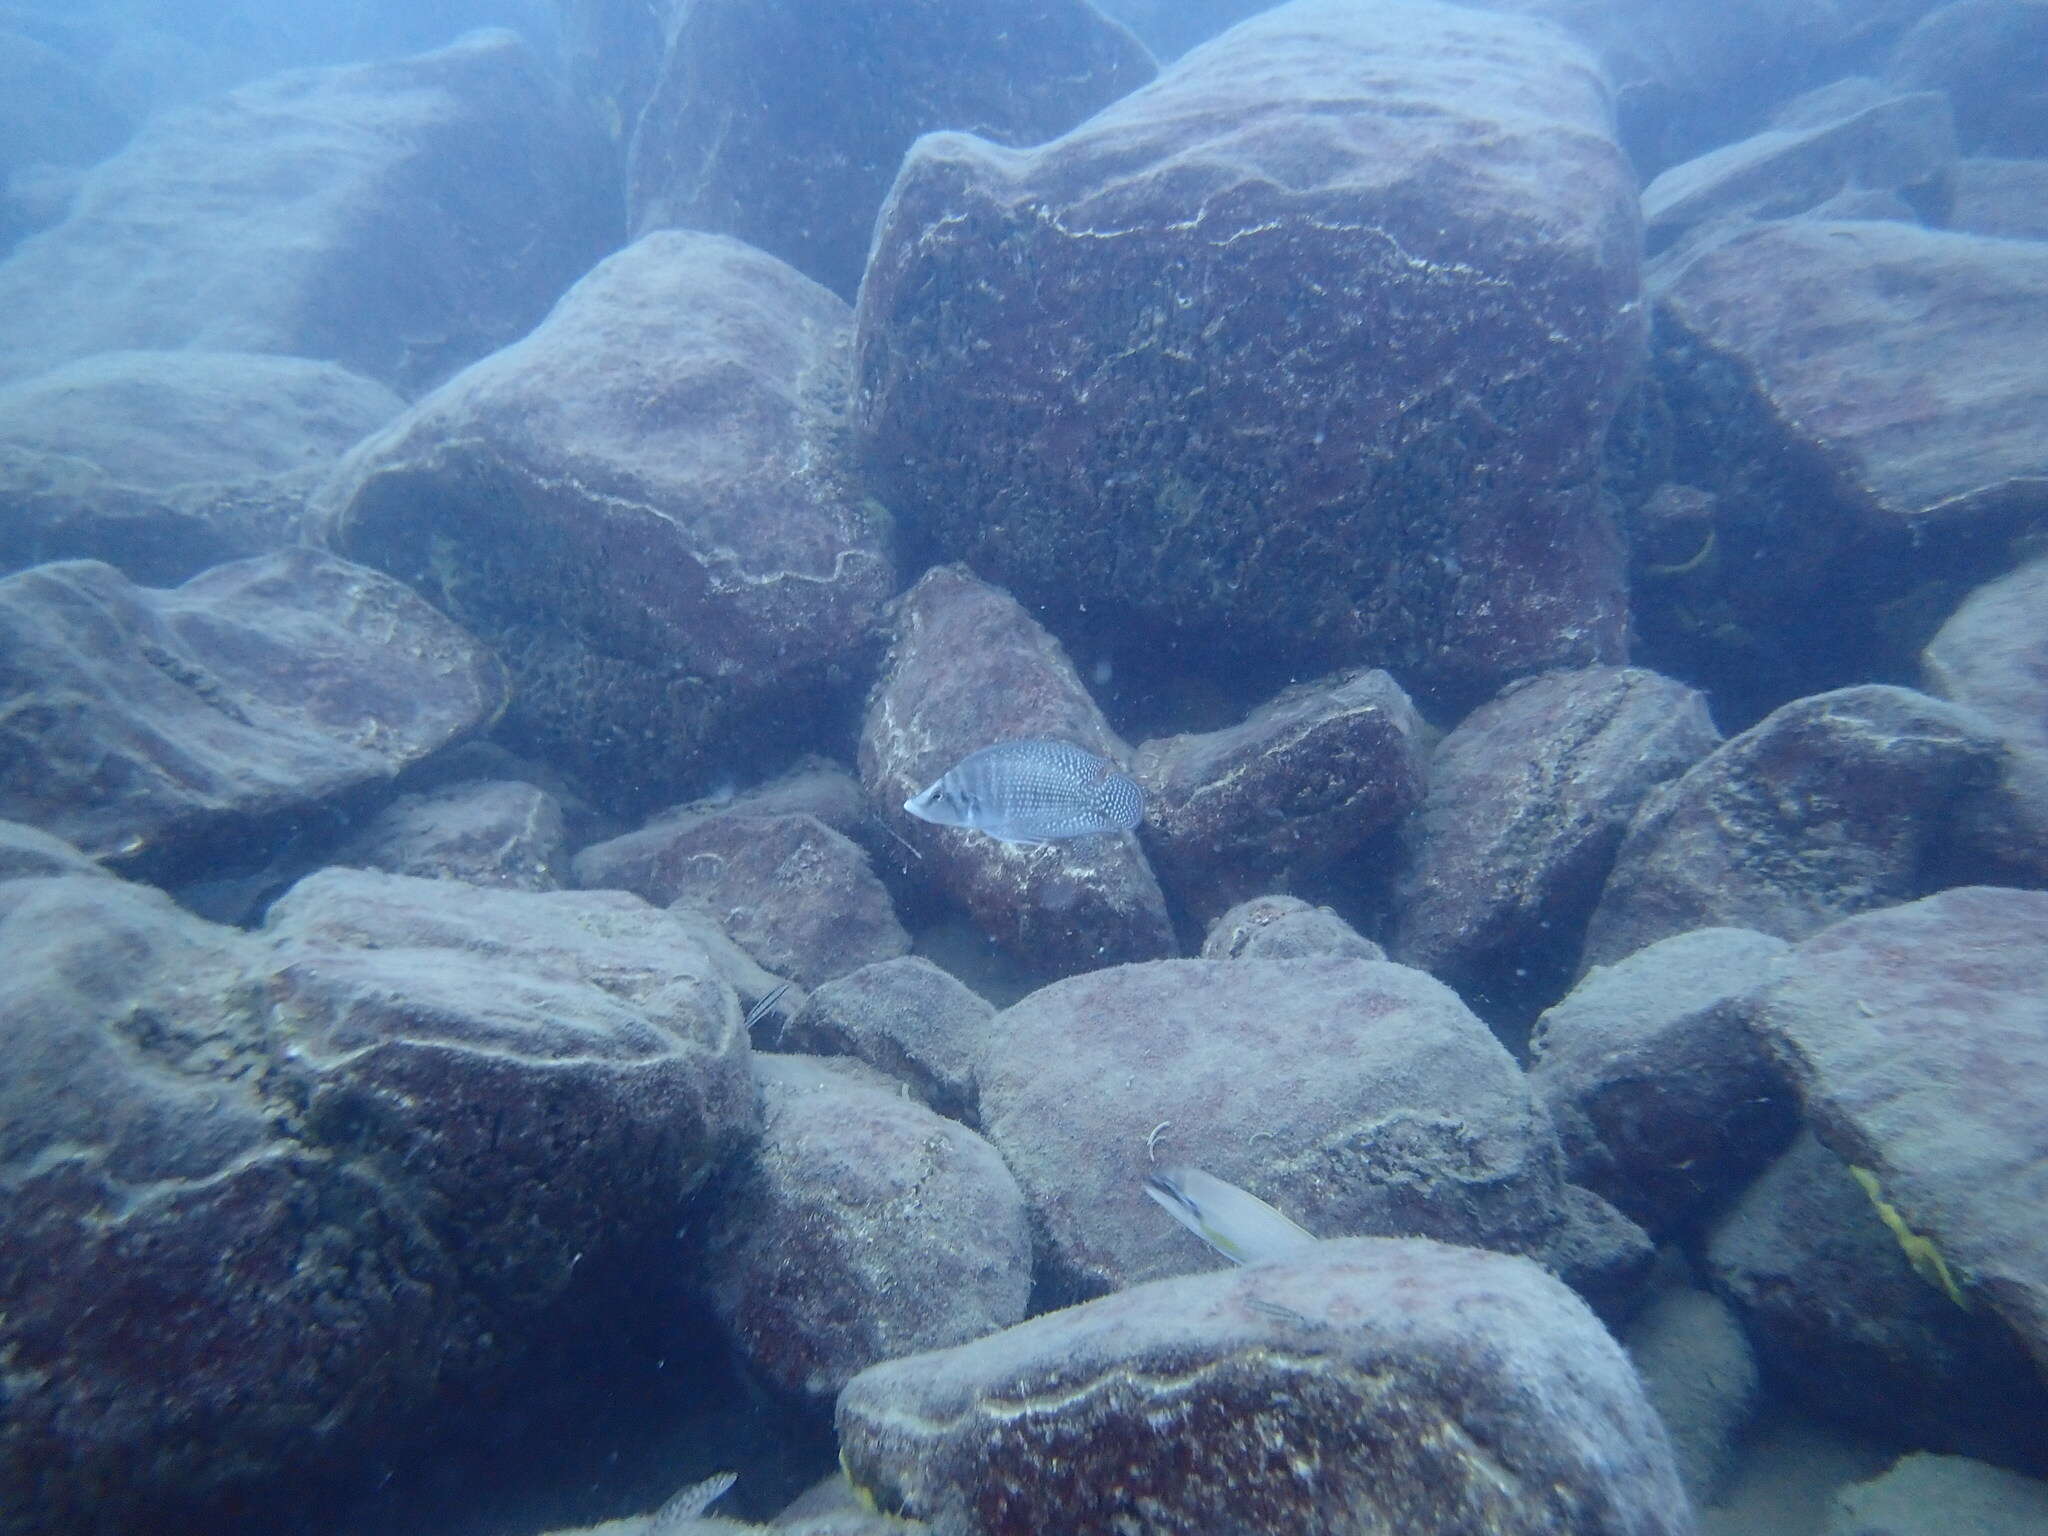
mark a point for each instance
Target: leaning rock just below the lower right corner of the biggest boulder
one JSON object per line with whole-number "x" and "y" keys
{"x": 1529, "y": 800}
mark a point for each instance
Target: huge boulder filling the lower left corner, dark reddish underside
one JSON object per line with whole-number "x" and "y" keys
{"x": 273, "y": 1199}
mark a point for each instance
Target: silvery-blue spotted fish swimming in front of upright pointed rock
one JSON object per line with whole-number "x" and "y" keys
{"x": 1033, "y": 792}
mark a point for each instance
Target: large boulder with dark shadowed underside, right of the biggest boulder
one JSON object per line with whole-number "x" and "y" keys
{"x": 1863, "y": 400}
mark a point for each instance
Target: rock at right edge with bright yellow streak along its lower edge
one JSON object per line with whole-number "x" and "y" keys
{"x": 1920, "y": 1043}
